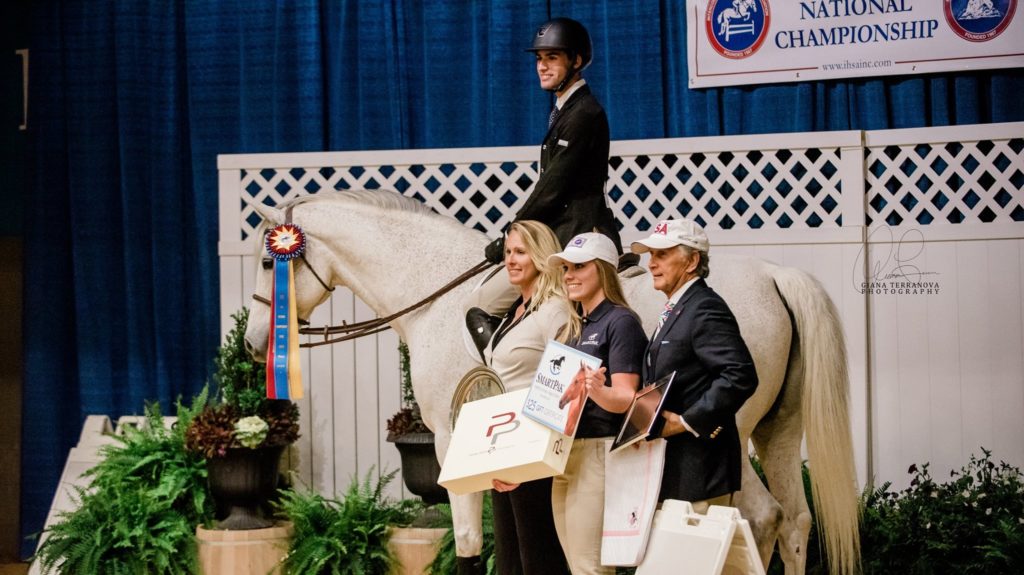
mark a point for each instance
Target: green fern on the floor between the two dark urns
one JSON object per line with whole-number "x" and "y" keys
{"x": 345, "y": 537}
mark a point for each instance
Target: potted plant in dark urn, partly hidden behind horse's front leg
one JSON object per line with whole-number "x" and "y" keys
{"x": 415, "y": 441}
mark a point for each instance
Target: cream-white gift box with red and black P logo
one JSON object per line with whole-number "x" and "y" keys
{"x": 493, "y": 440}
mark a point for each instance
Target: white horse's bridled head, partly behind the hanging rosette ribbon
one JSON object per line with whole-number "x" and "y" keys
{"x": 314, "y": 274}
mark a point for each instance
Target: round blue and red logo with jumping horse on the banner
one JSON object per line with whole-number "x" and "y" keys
{"x": 738, "y": 28}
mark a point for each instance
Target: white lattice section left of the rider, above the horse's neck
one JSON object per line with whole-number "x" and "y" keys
{"x": 485, "y": 196}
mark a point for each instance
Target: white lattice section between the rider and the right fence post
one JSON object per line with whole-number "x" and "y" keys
{"x": 751, "y": 190}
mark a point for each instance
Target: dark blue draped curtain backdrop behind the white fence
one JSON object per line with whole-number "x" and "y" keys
{"x": 133, "y": 102}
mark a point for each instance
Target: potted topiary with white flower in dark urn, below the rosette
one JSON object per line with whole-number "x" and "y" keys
{"x": 242, "y": 434}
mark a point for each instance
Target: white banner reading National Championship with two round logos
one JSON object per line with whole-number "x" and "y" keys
{"x": 739, "y": 42}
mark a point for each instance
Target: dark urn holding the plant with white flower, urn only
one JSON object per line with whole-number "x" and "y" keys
{"x": 242, "y": 482}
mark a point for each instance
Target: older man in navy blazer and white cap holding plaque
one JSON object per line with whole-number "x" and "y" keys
{"x": 699, "y": 339}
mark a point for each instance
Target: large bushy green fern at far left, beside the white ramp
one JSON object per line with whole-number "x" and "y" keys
{"x": 140, "y": 512}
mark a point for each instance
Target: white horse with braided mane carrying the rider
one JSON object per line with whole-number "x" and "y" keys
{"x": 392, "y": 251}
